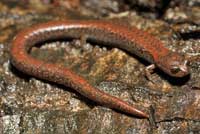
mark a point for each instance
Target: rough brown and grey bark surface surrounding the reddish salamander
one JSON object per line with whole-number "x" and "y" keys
{"x": 30, "y": 105}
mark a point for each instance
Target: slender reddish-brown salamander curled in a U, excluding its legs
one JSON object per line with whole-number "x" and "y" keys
{"x": 132, "y": 40}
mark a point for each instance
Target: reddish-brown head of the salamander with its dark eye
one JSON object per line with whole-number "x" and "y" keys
{"x": 174, "y": 64}
